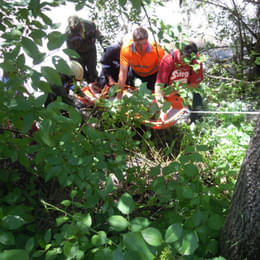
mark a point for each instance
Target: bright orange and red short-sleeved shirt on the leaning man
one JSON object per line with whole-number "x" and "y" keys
{"x": 143, "y": 65}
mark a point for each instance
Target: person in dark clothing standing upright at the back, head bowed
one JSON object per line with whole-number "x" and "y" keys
{"x": 81, "y": 37}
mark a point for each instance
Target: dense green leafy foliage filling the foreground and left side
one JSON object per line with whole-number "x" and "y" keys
{"x": 71, "y": 191}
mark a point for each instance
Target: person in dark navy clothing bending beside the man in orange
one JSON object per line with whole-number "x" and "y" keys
{"x": 110, "y": 61}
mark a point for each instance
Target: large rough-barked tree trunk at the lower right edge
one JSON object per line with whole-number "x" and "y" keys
{"x": 240, "y": 237}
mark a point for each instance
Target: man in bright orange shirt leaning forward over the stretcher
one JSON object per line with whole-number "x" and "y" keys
{"x": 141, "y": 57}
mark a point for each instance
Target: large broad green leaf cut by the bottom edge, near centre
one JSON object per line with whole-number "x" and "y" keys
{"x": 135, "y": 242}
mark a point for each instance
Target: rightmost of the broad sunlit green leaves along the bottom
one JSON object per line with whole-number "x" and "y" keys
{"x": 189, "y": 244}
